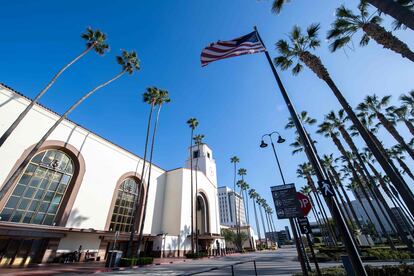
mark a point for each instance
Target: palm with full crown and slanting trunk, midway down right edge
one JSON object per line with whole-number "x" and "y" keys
{"x": 375, "y": 106}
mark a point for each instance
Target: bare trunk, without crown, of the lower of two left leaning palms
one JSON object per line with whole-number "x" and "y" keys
{"x": 35, "y": 149}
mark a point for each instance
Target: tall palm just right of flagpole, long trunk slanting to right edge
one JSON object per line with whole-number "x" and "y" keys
{"x": 298, "y": 49}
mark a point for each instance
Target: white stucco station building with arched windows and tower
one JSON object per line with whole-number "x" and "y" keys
{"x": 81, "y": 188}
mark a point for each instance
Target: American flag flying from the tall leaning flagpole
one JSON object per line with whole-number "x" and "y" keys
{"x": 247, "y": 44}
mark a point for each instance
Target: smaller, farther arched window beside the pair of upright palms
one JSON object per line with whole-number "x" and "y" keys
{"x": 124, "y": 206}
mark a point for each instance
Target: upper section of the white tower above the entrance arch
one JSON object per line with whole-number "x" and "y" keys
{"x": 203, "y": 158}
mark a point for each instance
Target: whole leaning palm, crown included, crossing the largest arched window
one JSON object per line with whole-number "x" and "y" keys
{"x": 129, "y": 63}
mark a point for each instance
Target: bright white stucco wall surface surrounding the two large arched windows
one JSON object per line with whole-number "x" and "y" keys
{"x": 105, "y": 162}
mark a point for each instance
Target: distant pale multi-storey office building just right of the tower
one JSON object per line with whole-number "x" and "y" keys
{"x": 229, "y": 207}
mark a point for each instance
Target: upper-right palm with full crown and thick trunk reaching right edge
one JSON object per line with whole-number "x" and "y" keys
{"x": 347, "y": 24}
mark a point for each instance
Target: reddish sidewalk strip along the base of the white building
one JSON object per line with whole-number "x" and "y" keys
{"x": 84, "y": 267}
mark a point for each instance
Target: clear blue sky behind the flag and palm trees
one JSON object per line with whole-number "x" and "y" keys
{"x": 235, "y": 100}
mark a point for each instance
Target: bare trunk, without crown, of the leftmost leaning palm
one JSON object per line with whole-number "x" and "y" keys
{"x": 21, "y": 116}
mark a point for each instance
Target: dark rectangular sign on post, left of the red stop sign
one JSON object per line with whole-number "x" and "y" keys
{"x": 286, "y": 202}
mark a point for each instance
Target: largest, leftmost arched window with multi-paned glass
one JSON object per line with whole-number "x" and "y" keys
{"x": 39, "y": 192}
